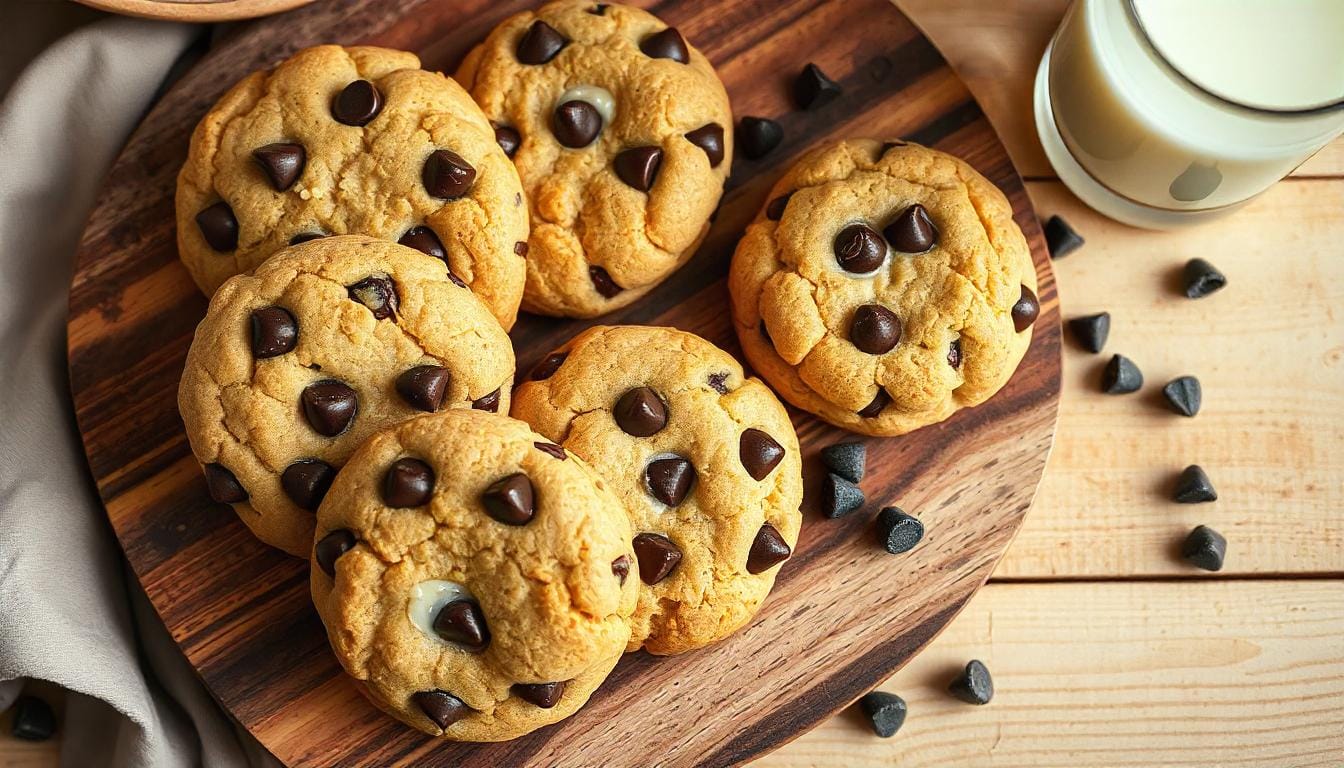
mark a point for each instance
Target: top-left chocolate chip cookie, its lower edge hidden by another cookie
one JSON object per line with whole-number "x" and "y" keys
{"x": 353, "y": 142}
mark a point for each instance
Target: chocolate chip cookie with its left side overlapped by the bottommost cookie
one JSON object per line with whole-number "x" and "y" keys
{"x": 705, "y": 459}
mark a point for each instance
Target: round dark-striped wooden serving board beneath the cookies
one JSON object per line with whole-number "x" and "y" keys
{"x": 843, "y": 614}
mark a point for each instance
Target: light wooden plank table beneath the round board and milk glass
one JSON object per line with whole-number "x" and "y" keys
{"x": 1107, "y": 649}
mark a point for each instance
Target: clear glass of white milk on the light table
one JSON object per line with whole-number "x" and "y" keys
{"x": 1167, "y": 112}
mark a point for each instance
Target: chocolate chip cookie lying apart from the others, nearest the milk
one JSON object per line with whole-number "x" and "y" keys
{"x": 884, "y": 287}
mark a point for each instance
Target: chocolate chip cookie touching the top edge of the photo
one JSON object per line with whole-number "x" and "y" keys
{"x": 623, "y": 137}
